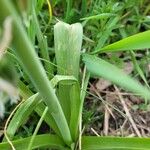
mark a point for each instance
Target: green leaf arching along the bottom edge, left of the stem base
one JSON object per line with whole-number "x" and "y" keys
{"x": 45, "y": 140}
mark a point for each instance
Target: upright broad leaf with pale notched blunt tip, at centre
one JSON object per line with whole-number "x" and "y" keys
{"x": 68, "y": 41}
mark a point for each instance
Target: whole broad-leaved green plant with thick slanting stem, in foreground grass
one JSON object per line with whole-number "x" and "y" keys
{"x": 59, "y": 101}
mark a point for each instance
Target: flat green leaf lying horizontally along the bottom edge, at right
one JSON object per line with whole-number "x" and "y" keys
{"x": 115, "y": 143}
